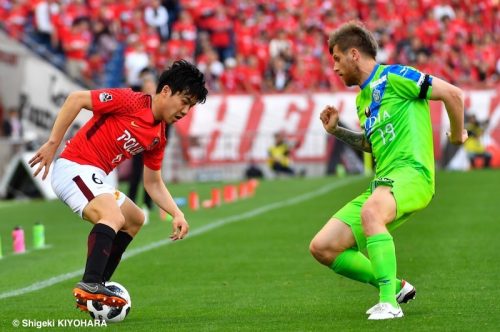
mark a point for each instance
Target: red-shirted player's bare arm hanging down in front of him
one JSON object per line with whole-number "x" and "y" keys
{"x": 154, "y": 185}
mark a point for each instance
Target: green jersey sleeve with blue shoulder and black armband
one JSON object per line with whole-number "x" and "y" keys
{"x": 410, "y": 83}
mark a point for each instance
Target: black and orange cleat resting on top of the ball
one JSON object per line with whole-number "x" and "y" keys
{"x": 96, "y": 291}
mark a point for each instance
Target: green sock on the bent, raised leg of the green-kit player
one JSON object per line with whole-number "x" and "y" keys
{"x": 354, "y": 265}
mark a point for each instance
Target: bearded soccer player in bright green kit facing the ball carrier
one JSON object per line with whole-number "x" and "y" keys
{"x": 393, "y": 110}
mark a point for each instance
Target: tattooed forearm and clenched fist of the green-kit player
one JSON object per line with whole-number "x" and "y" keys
{"x": 330, "y": 119}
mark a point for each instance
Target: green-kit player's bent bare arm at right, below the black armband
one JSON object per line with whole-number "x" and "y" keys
{"x": 453, "y": 99}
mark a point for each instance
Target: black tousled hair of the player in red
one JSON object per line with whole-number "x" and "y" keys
{"x": 184, "y": 77}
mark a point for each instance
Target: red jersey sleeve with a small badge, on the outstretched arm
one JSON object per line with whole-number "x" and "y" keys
{"x": 112, "y": 100}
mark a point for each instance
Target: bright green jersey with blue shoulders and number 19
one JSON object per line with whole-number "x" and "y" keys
{"x": 393, "y": 109}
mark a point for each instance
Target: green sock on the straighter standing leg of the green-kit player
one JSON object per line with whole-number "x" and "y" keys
{"x": 383, "y": 260}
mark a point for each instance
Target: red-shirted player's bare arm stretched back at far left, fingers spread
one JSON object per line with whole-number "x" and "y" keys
{"x": 70, "y": 109}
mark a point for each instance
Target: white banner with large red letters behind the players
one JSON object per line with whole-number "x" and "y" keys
{"x": 240, "y": 127}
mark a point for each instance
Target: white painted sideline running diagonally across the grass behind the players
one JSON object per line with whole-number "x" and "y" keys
{"x": 221, "y": 222}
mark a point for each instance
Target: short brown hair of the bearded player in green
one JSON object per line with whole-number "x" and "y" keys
{"x": 353, "y": 35}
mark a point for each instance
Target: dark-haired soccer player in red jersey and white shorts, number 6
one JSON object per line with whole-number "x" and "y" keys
{"x": 124, "y": 123}
